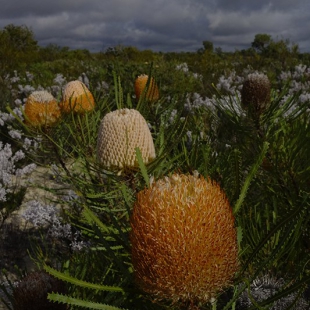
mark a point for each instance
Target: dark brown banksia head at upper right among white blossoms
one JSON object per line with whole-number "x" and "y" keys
{"x": 255, "y": 93}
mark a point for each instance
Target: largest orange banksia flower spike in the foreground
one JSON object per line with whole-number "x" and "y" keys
{"x": 184, "y": 244}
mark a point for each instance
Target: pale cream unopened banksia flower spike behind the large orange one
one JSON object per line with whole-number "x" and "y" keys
{"x": 120, "y": 132}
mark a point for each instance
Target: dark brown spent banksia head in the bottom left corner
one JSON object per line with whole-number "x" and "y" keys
{"x": 31, "y": 292}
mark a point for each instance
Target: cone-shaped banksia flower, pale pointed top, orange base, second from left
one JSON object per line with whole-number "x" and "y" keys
{"x": 77, "y": 98}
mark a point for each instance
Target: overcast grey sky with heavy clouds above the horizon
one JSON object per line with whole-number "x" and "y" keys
{"x": 159, "y": 25}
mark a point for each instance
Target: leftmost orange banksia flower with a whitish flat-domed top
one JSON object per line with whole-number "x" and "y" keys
{"x": 41, "y": 109}
